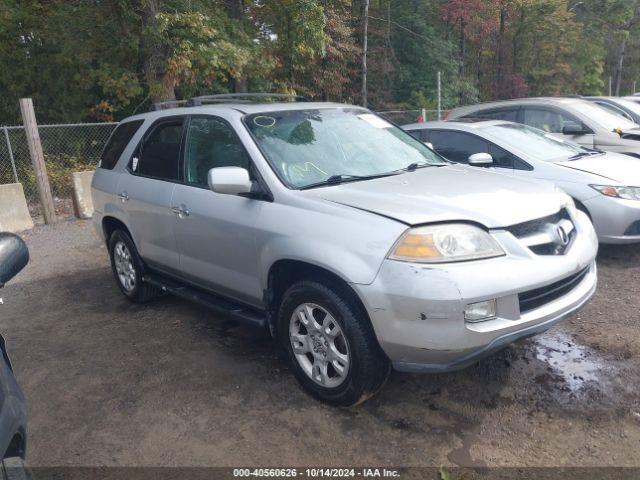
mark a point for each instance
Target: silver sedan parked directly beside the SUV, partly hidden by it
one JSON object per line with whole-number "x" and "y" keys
{"x": 605, "y": 185}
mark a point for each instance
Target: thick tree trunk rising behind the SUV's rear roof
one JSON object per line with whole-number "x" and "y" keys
{"x": 155, "y": 55}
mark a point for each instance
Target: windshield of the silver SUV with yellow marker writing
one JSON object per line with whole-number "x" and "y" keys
{"x": 307, "y": 147}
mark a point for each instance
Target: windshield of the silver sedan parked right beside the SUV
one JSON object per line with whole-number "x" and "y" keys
{"x": 535, "y": 143}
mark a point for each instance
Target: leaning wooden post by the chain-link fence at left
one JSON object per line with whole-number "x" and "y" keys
{"x": 37, "y": 159}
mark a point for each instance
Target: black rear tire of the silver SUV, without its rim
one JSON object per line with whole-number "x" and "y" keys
{"x": 140, "y": 292}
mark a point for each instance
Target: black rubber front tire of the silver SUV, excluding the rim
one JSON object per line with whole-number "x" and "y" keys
{"x": 368, "y": 365}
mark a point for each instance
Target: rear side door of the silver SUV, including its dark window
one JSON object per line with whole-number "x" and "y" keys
{"x": 146, "y": 190}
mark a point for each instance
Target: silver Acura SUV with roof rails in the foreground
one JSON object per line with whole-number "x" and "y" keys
{"x": 353, "y": 243}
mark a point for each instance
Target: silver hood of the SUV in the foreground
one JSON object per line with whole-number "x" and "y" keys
{"x": 455, "y": 192}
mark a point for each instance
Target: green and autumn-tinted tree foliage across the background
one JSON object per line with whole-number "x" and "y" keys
{"x": 104, "y": 60}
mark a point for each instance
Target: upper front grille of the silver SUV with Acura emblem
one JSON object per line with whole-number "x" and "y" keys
{"x": 542, "y": 235}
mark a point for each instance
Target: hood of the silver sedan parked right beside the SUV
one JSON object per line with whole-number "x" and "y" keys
{"x": 625, "y": 170}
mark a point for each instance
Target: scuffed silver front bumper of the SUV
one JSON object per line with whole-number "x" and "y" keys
{"x": 418, "y": 310}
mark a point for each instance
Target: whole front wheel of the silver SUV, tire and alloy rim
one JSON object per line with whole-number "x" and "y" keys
{"x": 330, "y": 344}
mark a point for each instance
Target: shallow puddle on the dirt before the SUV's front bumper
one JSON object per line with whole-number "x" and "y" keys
{"x": 575, "y": 363}
